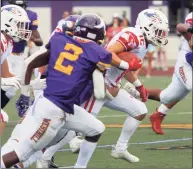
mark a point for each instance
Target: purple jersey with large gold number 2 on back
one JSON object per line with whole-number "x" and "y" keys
{"x": 70, "y": 69}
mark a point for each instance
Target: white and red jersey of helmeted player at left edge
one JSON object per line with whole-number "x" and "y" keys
{"x": 6, "y": 47}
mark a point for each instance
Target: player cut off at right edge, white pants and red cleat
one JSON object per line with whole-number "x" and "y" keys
{"x": 181, "y": 84}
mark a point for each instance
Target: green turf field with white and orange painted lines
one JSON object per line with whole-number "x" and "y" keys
{"x": 154, "y": 151}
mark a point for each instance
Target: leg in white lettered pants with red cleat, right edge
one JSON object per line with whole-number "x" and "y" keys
{"x": 182, "y": 83}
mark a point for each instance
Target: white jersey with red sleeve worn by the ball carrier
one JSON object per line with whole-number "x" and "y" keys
{"x": 133, "y": 41}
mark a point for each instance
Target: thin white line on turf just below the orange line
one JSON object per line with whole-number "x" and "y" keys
{"x": 139, "y": 143}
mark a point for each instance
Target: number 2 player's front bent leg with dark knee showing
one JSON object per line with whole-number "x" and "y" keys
{"x": 91, "y": 128}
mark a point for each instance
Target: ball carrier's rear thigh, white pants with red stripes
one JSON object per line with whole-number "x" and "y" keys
{"x": 93, "y": 105}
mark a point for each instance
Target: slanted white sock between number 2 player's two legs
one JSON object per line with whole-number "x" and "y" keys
{"x": 49, "y": 153}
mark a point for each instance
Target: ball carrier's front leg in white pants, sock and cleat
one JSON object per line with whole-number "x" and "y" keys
{"x": 136, "y": 110}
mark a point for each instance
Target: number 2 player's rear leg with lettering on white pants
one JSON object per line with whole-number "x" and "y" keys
{"x": 39, "y": 130}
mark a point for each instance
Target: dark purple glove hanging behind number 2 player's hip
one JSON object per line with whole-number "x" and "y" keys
{"x": 22, "y": 104}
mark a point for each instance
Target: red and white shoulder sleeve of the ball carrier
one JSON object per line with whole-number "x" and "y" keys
{"x": 129, "y": 40}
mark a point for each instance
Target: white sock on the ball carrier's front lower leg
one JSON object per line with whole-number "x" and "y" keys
{"x": 129, "y": 127}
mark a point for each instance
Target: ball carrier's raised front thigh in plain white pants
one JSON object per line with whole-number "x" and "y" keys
{"x": 124, "y": 102}
